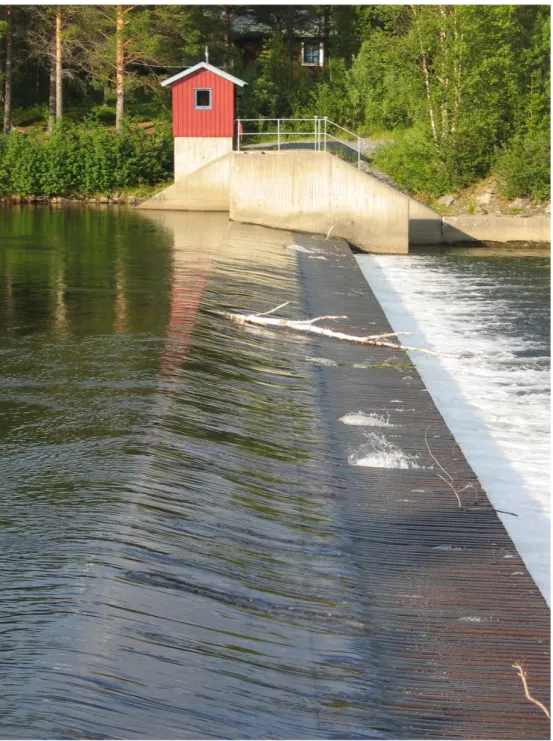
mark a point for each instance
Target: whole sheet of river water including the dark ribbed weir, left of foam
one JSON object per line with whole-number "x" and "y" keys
{"x": 221, "y": 530}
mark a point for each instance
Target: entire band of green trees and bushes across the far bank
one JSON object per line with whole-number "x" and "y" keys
{"x": 465, "y": 89}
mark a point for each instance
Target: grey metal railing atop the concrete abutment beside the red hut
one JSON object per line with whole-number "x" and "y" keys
{"x": 320, "y": 132}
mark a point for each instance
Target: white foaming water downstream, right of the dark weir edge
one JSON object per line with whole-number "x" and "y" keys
{"x": 493, "y": 315}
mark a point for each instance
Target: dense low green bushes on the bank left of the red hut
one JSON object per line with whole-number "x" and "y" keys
{"x": 83, "y": 160}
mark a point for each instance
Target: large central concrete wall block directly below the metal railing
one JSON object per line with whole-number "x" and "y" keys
{"x": 312, "y": 191}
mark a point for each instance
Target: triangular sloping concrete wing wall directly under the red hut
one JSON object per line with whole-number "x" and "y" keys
{"x": 207, "y": 189}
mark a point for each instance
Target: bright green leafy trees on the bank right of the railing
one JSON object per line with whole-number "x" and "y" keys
{"x": 457, "y": 84}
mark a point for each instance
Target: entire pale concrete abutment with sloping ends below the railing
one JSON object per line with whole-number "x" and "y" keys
{"x": 305, "y": 191}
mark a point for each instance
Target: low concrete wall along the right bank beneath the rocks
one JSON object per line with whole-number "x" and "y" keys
{"x": 458, "y": 229}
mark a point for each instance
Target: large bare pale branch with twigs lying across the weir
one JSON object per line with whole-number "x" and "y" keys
{"x": 308, "y": 325}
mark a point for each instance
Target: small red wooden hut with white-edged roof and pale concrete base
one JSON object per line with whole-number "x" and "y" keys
{"x": 204, "y": 109}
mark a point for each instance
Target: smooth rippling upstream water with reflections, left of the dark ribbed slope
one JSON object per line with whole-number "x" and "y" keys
{"x": 170, "y": 551}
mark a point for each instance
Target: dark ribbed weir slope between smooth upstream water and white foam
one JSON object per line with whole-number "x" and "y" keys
{"x": 447, "y": 600}
